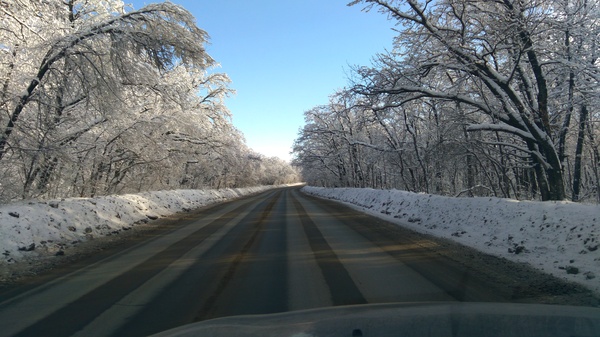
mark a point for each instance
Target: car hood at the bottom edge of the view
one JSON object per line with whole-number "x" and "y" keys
{"x": 408, "y": 319}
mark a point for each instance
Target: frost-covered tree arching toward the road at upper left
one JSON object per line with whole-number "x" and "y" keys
{"x": 75, "y": 40}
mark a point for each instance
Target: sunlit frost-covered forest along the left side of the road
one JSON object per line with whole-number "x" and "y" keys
{"x": 97, "y": 98}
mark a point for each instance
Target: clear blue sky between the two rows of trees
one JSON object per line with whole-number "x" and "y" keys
{"x": 285, "y": 57}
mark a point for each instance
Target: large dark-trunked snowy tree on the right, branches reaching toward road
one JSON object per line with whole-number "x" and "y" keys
{"x": 497, "y": 59}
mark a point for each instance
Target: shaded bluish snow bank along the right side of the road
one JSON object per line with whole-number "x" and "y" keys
{"x": 560, "y": 238}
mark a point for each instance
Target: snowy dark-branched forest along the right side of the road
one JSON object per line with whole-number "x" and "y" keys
{"x": 476, "y": 98}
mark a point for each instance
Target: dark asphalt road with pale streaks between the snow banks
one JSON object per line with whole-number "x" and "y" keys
{"x": 274, "y": 252}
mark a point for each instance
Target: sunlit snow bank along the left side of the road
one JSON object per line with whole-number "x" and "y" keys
{"x": 32, "y": 229}
